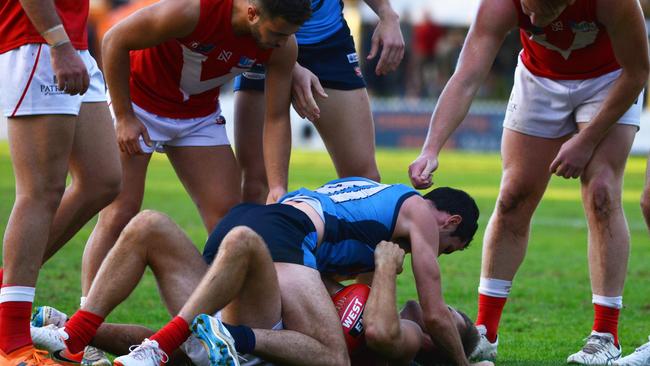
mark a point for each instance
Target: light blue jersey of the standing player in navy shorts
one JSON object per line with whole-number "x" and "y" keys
{"x": 326, "y": 19}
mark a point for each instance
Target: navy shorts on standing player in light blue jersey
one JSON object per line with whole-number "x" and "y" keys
{"x": 334, "y": 61}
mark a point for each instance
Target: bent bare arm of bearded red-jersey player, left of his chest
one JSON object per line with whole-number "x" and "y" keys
{"x": 145, "y": 28}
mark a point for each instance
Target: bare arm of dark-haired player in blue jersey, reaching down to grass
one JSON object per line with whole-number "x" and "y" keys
{"x": 415, "y": 223}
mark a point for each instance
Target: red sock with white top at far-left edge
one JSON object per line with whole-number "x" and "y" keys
{"x": 15, "y": 312}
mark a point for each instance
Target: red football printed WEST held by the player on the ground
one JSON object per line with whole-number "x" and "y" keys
{"x": 350, "y": 302}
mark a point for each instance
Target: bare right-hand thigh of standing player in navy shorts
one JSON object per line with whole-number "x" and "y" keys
{"x": 347, "y": 128}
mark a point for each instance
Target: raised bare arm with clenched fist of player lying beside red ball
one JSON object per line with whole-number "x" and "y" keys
{"x": 393, "y": 339}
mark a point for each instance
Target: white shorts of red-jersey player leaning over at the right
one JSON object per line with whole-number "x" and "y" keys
{"x": 552, "y": 108}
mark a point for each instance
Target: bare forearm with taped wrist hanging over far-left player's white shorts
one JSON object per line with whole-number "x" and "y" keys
{"x": 70, "y": 71}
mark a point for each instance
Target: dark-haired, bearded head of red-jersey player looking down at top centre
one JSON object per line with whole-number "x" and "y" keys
{"x": 272, "y": 22}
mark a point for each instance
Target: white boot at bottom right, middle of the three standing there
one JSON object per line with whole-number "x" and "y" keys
{"x": 599, "y": 350}
